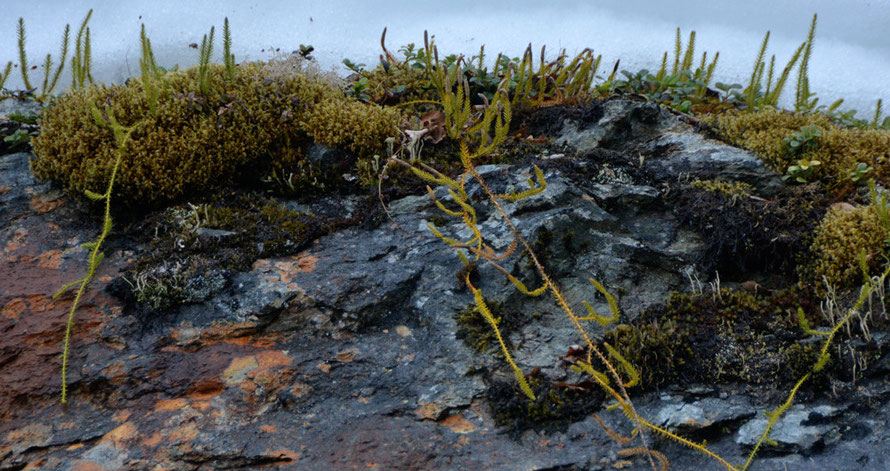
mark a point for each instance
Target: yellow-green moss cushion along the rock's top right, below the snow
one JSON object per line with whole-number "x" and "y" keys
{"x": 838, "y": 149}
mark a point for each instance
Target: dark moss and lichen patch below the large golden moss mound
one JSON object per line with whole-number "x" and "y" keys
{"x": 196, "y": 248}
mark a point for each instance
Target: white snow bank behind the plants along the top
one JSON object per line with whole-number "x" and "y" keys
{"x": 851, "y": 57}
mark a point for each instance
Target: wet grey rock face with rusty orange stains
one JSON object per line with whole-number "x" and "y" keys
{"x": 345, "y": 355}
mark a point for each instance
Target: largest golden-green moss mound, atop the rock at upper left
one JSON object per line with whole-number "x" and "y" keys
{"x": 260, "y": 118}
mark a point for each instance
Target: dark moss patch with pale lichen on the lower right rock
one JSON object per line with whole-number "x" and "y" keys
{"x": 734, "y": 337}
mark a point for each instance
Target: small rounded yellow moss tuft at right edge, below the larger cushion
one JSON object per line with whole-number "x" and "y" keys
{"x": 840, "y": 238}
